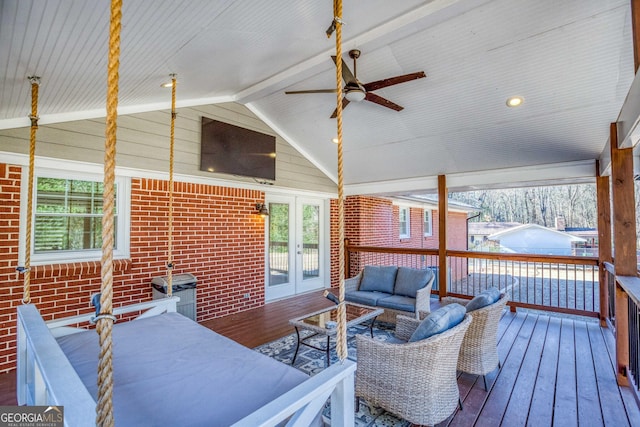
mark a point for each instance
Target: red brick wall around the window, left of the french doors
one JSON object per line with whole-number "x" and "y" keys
{"x": 217, "y": 237}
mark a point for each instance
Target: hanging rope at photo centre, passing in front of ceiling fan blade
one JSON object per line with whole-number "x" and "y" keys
{"x": 342, "y": 316}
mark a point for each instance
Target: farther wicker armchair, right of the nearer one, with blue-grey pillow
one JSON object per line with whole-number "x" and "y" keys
{"x": 479, "y": 350}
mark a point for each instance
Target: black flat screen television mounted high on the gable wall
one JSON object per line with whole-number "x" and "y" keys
{"x": 225, "y": 148}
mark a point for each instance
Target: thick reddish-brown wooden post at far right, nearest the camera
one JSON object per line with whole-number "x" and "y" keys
{"x": 624, "y": 243}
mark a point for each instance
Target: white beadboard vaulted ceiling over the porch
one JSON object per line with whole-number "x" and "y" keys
{"x": 571, "y": 61}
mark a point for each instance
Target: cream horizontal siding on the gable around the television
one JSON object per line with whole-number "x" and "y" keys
{"x": 143, "y": 143}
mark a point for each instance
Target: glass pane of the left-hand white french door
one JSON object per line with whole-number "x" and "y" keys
{"x": 278, "y": 243}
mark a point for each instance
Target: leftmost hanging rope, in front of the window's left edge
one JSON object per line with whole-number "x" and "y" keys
{"x": 26, "y": 269}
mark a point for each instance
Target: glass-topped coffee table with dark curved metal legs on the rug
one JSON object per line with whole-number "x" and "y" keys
{"x": 324, "y": 322}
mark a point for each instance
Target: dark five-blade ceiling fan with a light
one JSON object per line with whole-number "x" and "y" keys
{"x": 354, "y": 91}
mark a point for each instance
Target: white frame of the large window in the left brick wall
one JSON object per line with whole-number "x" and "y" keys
{"x": 123, "y": 223}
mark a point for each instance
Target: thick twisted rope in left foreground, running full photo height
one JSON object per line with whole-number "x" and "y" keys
{"x": 104, "y": 408}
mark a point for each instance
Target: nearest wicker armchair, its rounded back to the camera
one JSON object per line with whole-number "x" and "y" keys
{"x": 417, "y": 380}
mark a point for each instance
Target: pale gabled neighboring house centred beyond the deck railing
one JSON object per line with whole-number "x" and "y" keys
{"x": 536, "y": 239}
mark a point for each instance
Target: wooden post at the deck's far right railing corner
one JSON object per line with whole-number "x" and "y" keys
{"x": 604, "y": 241}
